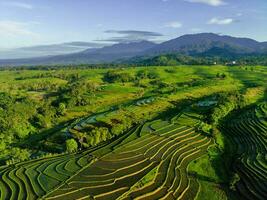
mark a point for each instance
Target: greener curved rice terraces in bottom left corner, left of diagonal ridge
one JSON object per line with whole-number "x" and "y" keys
{"x": 33, "y": 179}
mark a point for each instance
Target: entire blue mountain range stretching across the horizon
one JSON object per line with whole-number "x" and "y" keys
{"x": 208, "y": 44}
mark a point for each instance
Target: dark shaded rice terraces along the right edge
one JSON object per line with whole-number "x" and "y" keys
{"x": 248, "y": 134}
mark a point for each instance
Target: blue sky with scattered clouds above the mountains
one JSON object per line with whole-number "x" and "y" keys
{"x": 34, "y": 22}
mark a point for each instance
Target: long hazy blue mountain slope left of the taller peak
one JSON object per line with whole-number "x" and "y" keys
{"x": 92, "y": 56}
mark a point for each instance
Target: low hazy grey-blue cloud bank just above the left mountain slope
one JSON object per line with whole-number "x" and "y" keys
{"x": 48, "y": 50}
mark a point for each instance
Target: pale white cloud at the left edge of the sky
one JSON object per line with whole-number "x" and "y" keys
{"x": 14, "y": 29}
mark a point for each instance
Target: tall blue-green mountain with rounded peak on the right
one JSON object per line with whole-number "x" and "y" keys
{"x": 203, "y": 42}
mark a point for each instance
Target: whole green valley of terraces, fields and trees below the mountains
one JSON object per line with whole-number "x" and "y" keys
{"x": 178, "y": 132}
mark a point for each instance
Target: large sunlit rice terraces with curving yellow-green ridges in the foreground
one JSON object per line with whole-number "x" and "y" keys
{"x": 112, "y": 170}
